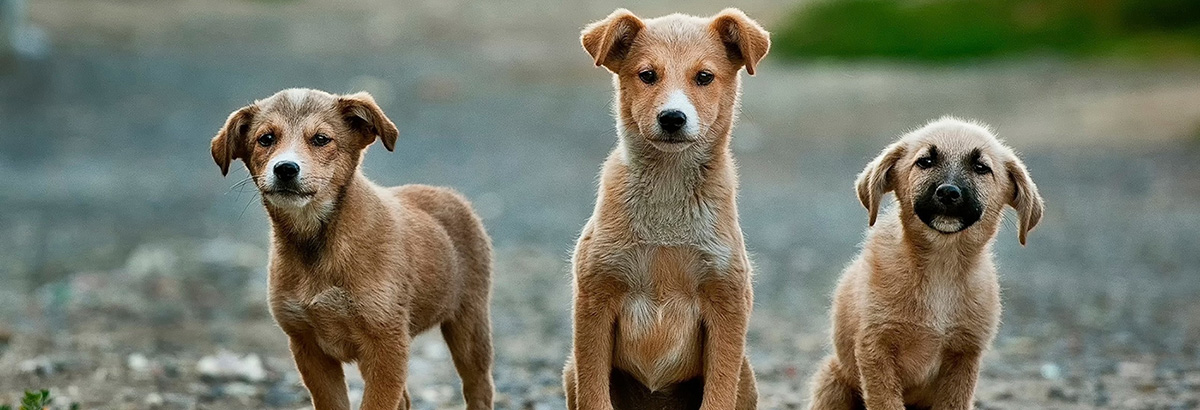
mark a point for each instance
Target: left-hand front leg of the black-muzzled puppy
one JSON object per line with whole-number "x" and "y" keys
{"x": 878, "y": 369}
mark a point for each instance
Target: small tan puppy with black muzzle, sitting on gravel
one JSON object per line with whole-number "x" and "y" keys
{"x": 914, "y": 315}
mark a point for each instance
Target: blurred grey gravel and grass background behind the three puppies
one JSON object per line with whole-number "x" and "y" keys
{"x": 133, "y": 276}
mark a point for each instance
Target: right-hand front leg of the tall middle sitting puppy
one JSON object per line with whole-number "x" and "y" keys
{"x": 725, "y": 306}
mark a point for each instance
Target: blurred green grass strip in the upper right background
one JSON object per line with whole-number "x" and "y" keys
{"x": 951, "y": 31}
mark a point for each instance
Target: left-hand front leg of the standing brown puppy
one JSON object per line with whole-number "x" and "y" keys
{"x": 321, "y": 373}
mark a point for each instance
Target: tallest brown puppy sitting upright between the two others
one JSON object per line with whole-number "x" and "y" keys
{"x": 663, "y": 291}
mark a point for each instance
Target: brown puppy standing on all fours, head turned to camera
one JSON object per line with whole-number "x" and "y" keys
{"x": 357, "y": 270}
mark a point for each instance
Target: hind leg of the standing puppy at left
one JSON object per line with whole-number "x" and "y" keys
{"x": 470, "y": 337}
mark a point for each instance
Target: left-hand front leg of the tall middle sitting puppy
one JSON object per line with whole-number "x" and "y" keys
{"x": 595, "y": 325}
